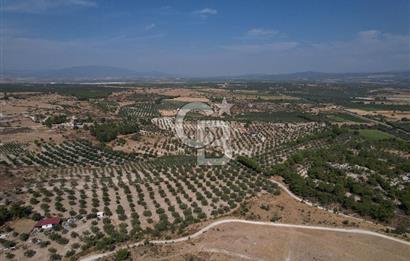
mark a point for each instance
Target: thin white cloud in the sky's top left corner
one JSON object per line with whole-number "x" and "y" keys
{"x": 38, "y": 6}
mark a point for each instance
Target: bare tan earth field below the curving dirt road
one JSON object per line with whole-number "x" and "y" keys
{"x": 255, "y": 242}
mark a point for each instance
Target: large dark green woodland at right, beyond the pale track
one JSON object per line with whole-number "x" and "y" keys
{"x": 327, "y": 184}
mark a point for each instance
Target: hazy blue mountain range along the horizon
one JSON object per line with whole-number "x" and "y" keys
{"x": 110, "y": 73}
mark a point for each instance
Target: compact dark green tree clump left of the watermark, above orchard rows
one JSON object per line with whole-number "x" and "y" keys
{"x": 106, "y": 132}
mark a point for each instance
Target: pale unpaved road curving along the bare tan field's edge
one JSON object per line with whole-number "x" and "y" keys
{"x": 225, "y": 221}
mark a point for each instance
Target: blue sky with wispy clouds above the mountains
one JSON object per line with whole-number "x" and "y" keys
{"x": 204, "y": 38}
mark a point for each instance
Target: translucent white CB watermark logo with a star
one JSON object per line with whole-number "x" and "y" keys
{"x": 206, "y": 132}
